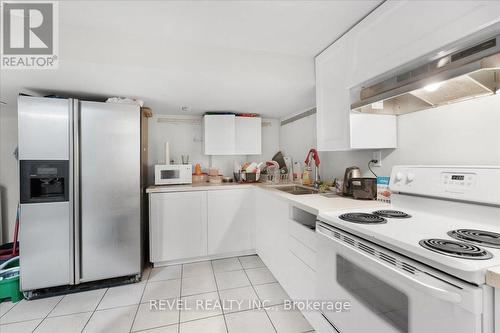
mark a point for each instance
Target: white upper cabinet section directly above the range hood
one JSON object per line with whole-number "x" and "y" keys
{"x": 401, "y": 31}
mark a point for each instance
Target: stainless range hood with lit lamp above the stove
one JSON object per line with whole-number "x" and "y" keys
{"x": 467, "y": 73}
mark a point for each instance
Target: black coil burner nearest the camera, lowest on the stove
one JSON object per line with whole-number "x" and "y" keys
{"x": 455, "y": 249}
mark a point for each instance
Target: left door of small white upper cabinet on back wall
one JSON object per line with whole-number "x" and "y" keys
{"x": 219, "y": 134}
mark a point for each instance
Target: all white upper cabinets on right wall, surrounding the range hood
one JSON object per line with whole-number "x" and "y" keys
{"x": 395, "y": 34}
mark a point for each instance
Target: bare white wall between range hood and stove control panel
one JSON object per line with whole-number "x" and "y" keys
{"x": 466, "y": 133}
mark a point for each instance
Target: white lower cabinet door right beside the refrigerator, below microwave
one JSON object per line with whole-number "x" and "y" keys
{"x": 178, "y": 225}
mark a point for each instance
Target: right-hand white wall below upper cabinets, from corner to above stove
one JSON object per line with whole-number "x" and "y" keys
{"x": 466, "y": 133}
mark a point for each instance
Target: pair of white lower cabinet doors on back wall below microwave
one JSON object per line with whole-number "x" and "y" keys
{"x": 194, "y": 224}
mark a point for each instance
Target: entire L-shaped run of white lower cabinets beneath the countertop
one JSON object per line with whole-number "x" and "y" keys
{"x": 218, "y": 223}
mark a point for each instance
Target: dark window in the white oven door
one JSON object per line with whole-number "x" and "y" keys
{"x": 390, "y": 304}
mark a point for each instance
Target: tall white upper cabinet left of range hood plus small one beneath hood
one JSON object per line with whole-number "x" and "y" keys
{"x": 337, "y": 128}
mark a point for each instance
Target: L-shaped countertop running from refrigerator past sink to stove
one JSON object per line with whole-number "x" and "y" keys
{"x": 313, "y": 203}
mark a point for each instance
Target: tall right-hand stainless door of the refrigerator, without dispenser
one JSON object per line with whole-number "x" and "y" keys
{"x": 109, "y": 168}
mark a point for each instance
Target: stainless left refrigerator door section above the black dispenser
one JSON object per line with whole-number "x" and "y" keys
{"x": 43, "y": 128}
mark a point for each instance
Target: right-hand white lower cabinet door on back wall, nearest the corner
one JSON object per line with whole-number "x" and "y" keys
{"x": 231, "y": 226}
